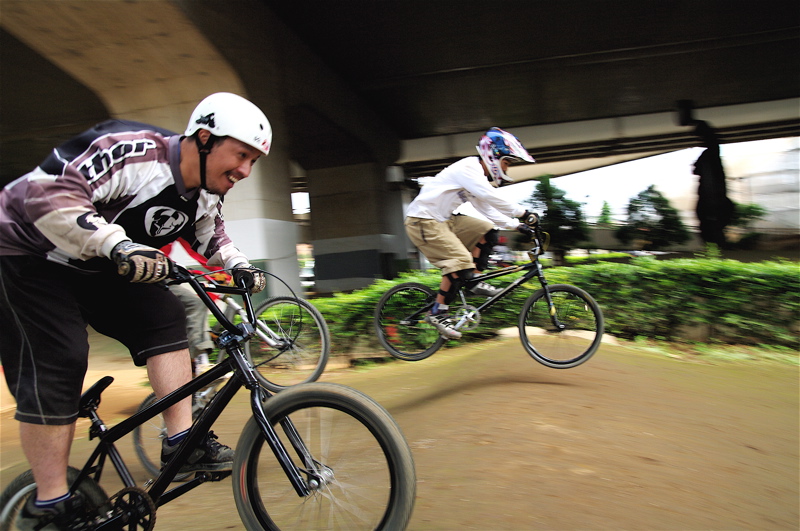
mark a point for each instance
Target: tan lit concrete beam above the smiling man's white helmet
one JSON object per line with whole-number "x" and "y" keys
{"x": 144, "y": 60}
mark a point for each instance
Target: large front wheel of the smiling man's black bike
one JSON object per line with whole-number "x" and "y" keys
{"x": 371, "y": 484}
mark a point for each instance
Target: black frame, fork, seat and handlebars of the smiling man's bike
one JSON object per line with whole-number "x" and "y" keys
{"x": 231, "y": 340}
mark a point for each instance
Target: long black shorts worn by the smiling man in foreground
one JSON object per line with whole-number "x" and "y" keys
{"x": 44, "y": 348}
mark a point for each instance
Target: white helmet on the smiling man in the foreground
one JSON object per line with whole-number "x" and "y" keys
{"x": 226, "y": 114}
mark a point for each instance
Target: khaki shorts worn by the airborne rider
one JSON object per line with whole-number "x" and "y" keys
{"x": 448, "y": 245}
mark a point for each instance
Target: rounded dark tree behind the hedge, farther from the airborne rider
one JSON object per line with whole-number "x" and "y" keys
{"x": 652, "y": 220}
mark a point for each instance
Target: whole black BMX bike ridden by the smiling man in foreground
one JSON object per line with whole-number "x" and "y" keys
{"x": 313, "y": 456}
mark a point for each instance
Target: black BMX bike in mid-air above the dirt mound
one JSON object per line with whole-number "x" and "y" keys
{"x": 560, "y": 325}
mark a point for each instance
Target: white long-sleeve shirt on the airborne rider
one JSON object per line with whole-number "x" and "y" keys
{"x": 461, "y": 182}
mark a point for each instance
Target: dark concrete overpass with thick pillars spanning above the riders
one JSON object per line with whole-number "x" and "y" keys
{"x": 362, "y": 94}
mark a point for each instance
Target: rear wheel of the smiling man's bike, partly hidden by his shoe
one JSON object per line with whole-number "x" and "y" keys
{"x": 21, "y": 487}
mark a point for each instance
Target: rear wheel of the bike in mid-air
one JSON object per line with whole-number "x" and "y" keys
{"x": 404, "y": 338}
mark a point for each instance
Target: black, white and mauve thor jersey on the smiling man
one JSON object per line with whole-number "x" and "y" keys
{"x": 119, "y": 180}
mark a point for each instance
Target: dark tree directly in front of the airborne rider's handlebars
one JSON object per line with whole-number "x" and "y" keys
{"x": 562, "y": 218}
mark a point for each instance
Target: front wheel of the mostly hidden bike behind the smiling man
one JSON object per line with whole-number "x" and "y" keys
{"x": 306, "y": 338}
